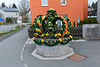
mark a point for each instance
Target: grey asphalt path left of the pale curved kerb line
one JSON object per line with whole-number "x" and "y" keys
{"x": 10, "y": 49}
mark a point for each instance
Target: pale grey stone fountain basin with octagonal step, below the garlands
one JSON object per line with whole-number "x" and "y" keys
{"x": 57, "y": 52}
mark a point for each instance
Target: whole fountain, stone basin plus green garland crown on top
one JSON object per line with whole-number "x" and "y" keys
{"x": 52, "y": 38}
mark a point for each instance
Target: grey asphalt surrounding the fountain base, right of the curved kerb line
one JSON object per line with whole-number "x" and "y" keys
{"x": 91, "y": 49}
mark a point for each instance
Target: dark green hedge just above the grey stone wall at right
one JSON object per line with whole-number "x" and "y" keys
{"x": 88, "y": 21}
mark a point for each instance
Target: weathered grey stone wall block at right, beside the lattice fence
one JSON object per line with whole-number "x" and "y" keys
{"x": 91, "y": 31}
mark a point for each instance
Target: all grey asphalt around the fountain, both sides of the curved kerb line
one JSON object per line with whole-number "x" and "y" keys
{"x": 10, "y": 50}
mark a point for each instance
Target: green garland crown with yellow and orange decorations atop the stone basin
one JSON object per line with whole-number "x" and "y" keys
{"x": 46, "y": 29}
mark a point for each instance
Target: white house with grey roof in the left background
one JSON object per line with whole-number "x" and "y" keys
{"x": 10, "y": 12}
